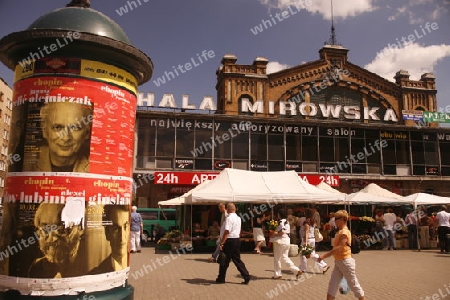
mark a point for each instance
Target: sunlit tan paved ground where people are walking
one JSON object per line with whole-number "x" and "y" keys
{"x": 398, "y": 274}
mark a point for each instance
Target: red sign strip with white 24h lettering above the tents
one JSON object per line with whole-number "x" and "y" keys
{"x": 198, "y": 177}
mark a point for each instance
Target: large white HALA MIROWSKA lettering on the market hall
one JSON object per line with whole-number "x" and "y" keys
{"x": 325, "y": 111}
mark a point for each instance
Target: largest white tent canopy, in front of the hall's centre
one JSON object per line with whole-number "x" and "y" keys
{"x": 258, "y": 187}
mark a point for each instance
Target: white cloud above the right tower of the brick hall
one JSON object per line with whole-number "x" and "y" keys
{"x": 414, "y": 58}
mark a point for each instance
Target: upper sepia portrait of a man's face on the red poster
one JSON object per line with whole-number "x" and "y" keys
{"x": 58, "y": 137}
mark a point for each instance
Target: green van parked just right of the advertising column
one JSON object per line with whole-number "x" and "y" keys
{"x": 165, "y": 217}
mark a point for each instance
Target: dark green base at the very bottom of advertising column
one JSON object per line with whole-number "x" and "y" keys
{"x": 119, "y": 293}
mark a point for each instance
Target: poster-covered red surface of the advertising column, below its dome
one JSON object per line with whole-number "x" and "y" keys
{"x": 69, "y": 183}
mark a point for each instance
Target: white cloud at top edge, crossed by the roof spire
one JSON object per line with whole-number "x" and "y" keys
{"x": 341, "y": 8}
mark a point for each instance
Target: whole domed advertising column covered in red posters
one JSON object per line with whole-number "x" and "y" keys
{"x": 69, "y": 183}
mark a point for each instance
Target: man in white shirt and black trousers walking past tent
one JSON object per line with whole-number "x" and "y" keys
{"x": 231, "y": 244}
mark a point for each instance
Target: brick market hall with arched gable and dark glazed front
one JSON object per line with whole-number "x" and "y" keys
{"x": 327, "y": 119}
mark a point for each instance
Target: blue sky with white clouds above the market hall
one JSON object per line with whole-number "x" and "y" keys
{"x": 173, "y": 32}
